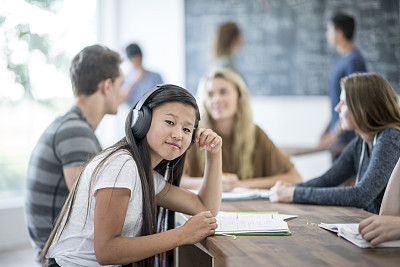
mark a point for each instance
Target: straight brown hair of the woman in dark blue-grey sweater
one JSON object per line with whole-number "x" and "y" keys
{"x": 372, "y": 102}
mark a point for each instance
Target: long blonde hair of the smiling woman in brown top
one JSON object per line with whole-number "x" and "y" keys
{"x": 244, "y": 129}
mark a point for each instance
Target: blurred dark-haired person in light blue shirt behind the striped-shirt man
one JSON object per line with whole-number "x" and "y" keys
{"x": 138, "y": 80}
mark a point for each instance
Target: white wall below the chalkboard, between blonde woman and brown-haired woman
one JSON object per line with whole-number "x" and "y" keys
{"x": 296, "y": 122}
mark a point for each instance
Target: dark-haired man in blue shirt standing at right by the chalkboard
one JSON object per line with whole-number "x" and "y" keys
{"x": 340, "y": 33}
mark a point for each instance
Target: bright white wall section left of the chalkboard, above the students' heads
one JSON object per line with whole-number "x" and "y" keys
{"x": 156, "y": 25}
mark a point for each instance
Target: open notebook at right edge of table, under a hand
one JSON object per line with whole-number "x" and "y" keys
{"x": 349, "y": 231}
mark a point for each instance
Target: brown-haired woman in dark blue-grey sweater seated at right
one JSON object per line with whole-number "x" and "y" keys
{"x": 369, "y": 105}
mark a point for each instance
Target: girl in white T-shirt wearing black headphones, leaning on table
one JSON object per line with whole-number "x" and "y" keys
{"x": 110, "y": 217}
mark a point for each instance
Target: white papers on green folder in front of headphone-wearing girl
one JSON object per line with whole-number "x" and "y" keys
{"x": 248, "y": 223}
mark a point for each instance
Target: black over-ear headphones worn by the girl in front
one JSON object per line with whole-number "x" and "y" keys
{"x": 141, "y": 116}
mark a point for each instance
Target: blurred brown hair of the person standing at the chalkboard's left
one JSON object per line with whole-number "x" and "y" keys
{"x": 224, "y": 39}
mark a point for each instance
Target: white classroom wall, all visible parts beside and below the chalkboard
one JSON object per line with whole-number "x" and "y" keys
{"x": 289, "y": 121}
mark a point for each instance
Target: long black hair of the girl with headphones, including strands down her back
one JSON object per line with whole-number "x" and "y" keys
{"x": 140, "y": 152}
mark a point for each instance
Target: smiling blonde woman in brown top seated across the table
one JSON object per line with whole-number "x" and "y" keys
{"x": 249, "y": 157}
